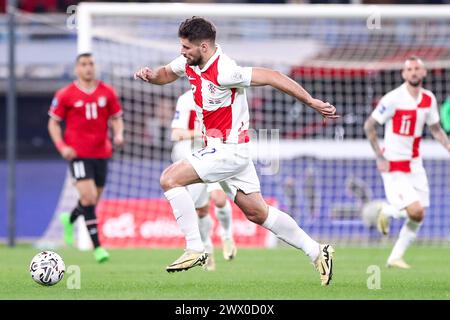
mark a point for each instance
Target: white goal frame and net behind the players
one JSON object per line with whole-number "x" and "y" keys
{"x": 323, "y": 174}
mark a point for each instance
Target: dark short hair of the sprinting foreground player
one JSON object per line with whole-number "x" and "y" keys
{"x": 197, "y": 29}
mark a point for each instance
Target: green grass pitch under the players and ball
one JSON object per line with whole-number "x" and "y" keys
{"x": 276, "y": 274}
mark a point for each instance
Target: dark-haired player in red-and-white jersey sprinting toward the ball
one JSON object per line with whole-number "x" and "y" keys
{"x": 218, "y": 85}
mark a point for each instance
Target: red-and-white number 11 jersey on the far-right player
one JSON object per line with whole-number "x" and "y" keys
{"x": 404, "y": 119}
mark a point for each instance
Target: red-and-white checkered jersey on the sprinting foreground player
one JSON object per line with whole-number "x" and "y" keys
{"x": 219, "y": 95}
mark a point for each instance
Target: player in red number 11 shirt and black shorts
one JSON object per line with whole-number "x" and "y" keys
{"x": 86, "y": 106}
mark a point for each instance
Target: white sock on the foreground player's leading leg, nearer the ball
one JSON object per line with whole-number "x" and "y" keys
{"x": 186, "y": 216}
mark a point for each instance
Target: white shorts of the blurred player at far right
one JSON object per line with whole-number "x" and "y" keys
{"x": 403, "y": 188}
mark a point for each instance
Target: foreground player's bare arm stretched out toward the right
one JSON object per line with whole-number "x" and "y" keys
{"x": 279, "y": 81}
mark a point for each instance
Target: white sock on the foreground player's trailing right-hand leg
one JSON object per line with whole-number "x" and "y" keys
{"x": 285, "y": 228}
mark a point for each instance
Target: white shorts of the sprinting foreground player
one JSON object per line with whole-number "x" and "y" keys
{"x": 229, "y": 164}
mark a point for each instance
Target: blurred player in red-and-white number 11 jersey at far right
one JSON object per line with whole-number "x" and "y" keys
{"x": 404, "y": 111}
